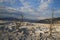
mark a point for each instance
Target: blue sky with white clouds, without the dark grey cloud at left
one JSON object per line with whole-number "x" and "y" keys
{"x": 34, "y": 9}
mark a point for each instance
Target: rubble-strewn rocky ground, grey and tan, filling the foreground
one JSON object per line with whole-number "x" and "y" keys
{"x": 13, "y": 32}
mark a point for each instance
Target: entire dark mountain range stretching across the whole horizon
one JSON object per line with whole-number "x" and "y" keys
{"x": 29, "y": 20}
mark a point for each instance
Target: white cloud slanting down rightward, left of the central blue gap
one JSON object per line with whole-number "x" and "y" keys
{"x": 26, "y": 7}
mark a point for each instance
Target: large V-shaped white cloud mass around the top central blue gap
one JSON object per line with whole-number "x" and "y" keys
{"x": 43, "y": 7}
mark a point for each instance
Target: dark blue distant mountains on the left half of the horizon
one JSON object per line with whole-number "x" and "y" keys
{"x": 16, "y": 19}
